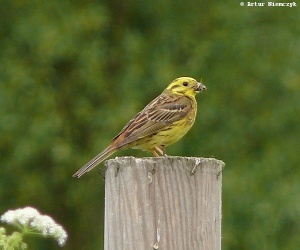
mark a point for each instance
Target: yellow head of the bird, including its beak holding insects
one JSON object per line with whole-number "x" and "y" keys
{"x": 185, "y": 86}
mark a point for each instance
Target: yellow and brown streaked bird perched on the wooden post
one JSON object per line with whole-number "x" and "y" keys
{"x": 162, "y": 122}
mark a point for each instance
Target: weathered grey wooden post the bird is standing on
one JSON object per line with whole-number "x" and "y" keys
{"x": 163, "y": 203}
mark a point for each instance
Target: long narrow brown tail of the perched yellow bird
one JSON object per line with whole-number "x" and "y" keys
{"x": 95, "y": 161}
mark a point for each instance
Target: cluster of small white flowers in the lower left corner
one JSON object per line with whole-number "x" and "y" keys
{"x": 31, "y": 218}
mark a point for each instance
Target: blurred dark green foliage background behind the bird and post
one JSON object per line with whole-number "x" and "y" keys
{"x": 72, "y": 73}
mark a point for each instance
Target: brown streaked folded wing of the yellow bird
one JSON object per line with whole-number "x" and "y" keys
{"x": 161, "y": 112}
